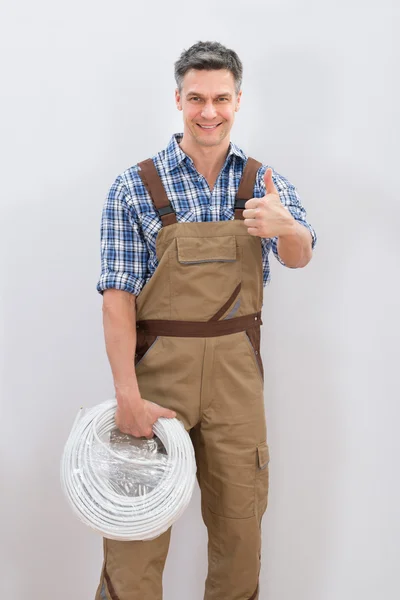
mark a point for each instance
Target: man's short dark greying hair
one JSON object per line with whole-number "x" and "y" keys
{"x": 209, "y": 56}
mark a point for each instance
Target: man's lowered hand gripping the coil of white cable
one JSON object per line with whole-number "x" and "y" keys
{"x": 138, "y": 418}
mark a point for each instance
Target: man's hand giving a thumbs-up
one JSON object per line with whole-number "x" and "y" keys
{"x": 267, "y": 217}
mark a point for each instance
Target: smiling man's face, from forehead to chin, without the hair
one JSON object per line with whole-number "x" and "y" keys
{"x": 208, "y": 101}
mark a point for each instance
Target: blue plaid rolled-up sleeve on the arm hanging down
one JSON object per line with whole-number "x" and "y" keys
{"x": 124, "y": 255}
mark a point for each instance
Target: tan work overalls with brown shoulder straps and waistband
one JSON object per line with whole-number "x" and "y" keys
{"x": 198, "y": 353}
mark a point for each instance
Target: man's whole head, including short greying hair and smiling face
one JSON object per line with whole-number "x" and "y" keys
{"x": 209, "y": 79}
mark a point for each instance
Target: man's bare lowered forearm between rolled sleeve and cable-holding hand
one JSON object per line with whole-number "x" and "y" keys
{"x": 119, "y": 321}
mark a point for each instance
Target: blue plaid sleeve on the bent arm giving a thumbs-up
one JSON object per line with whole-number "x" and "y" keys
{"x": 290, "y": 198}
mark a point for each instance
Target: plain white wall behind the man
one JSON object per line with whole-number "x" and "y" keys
{"x": 87, "y": 90}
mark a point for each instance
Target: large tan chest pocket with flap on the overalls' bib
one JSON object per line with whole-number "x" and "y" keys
{"x": 204, "y": 271}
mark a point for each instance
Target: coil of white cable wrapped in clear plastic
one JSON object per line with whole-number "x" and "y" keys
{"x": 94, "y": 499}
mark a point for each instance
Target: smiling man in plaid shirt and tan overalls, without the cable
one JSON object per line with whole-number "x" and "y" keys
{"x": 185, "y": 243}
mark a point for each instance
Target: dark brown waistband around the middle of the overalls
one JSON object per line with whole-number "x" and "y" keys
{"x": 199, "y": 328}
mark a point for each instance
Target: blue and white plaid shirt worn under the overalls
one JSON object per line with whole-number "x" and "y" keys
{"x": 130, "y": 223}
